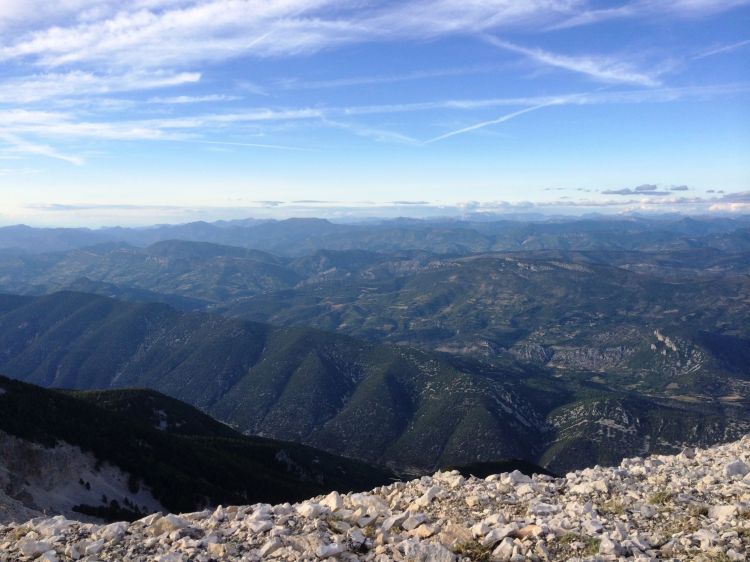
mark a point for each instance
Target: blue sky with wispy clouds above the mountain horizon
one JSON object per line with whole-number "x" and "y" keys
{"x": 144, "y": 111}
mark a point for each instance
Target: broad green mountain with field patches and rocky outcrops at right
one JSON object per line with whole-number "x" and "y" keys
{"x": 658, "y": 328}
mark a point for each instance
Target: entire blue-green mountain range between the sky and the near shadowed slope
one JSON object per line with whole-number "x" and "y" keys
{"x": 408, "y": 344}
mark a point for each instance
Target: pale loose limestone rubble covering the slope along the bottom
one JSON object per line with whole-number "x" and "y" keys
{"x": 692, "y": 506}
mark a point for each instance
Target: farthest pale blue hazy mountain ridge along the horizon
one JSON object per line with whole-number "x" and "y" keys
{"x": 297, "y": 236}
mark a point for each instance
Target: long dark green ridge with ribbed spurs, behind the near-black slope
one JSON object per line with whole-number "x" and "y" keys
{"x": 394, "y": 405}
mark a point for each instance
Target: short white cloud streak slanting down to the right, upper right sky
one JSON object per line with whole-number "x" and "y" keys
{"x": 610, "y": 70}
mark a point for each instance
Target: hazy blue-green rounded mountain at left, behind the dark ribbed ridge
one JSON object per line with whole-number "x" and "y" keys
{"x": 189, "y": 274}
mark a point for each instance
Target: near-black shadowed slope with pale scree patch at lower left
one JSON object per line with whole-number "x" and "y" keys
{"x": 125, "y": 453}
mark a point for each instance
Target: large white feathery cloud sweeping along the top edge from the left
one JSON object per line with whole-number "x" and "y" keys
{"x": 182, "y": 32}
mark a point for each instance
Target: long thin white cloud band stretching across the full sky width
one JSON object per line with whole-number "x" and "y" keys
{"x": 70, "y": 126}
